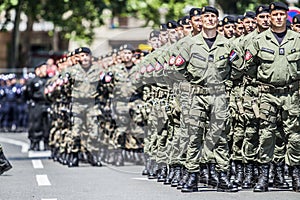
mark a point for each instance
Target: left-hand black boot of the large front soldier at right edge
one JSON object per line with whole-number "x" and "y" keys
{"x": 263, "y": 181}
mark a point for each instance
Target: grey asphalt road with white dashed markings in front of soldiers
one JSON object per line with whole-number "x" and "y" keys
{"x": 35, "y": 177}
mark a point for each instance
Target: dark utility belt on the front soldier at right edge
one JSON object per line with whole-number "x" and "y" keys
{"x": 266, "y": 88}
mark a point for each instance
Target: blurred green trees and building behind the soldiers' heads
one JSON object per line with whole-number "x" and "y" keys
{"x": 31, "y": 31}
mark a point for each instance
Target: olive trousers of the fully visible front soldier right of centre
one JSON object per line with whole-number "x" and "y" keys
{"x": 208, "y": 113}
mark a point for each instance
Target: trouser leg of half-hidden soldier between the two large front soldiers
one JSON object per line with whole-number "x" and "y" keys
{"x": 251, "y": 142}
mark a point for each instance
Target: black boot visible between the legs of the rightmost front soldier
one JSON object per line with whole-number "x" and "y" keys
{"x": 279, "y": 180}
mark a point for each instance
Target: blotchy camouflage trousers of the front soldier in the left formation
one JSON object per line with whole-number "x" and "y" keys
{"x": 85, "y": 127}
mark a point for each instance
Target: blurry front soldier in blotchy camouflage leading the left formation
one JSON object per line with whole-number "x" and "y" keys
{"x": 84, "y": 136}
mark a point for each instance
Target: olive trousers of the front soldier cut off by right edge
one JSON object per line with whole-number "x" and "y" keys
{"x": 286, "y": 105}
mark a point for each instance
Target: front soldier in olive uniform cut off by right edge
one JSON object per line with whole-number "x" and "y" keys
{"x": 278, "y": 92}
